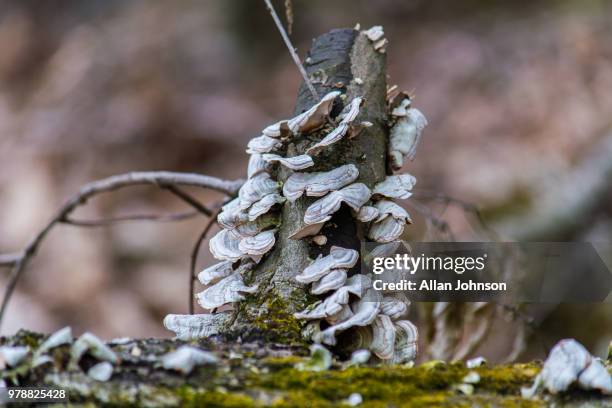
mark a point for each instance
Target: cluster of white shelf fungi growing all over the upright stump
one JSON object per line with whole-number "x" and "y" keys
{"x": 249, "y": 225}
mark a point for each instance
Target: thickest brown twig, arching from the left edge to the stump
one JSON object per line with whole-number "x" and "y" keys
{"x": 161, "y": 179}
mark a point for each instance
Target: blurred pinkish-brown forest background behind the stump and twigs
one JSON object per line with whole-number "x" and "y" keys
{"x": 518, "y": 97}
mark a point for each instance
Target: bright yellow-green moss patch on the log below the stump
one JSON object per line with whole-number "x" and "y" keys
{"x": 426, "y": 385}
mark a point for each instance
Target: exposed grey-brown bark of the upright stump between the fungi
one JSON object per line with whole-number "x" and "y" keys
{"x": 336, "y": 59}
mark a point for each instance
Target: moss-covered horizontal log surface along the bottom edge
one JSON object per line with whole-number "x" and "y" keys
{"x": 263, "y": 374}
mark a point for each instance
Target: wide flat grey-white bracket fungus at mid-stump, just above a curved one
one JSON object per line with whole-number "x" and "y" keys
{"x": 320, "y": 183}
